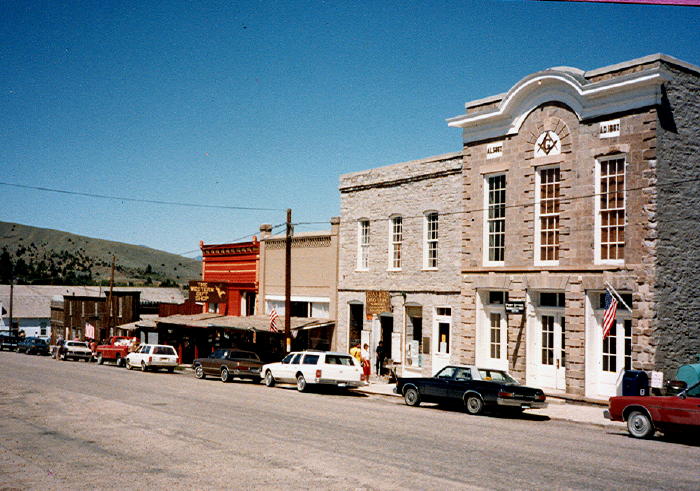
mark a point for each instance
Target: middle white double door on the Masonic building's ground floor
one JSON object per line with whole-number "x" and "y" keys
{"x": 548, "y": 352}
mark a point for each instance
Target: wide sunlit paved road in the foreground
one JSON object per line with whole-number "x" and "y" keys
{"x": 74, "y": 425}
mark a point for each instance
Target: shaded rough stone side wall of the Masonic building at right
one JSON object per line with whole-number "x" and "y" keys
{"x": 677, "y": 327}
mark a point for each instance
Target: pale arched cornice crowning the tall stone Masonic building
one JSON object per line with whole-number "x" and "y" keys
{"x": 504, "y": 115}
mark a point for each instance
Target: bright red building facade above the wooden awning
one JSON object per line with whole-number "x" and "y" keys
{"x": 229, "y": 278}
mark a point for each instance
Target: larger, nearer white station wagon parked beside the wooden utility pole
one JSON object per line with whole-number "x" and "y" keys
{"x": 305, "y": 368}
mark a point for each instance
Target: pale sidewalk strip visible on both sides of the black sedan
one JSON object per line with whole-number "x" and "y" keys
{"x": 557, "y": 409}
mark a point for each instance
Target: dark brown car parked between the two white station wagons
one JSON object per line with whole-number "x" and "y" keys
{"x": 229, "y": 364}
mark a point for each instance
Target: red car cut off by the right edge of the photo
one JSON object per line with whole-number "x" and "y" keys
{"x": 645, "y": 415}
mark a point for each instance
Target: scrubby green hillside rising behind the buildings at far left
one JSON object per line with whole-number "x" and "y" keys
{"x": 45, "y": 256}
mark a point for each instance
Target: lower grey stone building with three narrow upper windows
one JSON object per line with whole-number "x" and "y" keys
{"x": 399, "y": 267}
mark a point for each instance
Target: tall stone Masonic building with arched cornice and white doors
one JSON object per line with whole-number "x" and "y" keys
{"x": 574, "y": 181}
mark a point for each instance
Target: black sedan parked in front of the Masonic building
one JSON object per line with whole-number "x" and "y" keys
{"x": 477, "y": 388}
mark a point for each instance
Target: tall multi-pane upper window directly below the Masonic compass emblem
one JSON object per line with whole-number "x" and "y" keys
{"x": 548, "y": 210}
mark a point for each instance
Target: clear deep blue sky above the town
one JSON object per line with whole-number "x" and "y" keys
{"x": 264, "y": 104}
